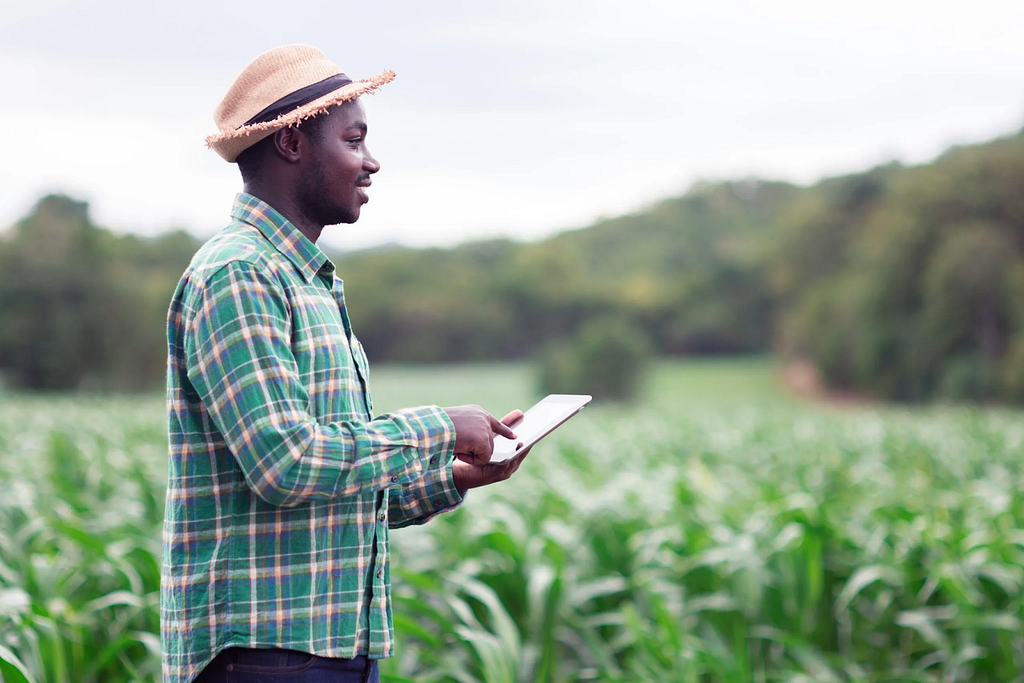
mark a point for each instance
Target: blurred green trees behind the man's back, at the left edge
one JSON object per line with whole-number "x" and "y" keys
{"x": 81, "y": 309}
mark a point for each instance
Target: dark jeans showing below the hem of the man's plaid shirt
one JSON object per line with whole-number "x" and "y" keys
{"x": 238, "y": 665}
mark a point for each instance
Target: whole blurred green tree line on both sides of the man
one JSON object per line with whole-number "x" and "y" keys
{"x": 902, "y": 282}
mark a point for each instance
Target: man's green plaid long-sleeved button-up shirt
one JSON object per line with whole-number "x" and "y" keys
{"x": 281, "y": 486}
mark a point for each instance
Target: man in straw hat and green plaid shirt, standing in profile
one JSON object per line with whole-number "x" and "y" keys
{"x": 282, "y": 484}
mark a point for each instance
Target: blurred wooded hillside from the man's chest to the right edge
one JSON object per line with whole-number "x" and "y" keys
{"x": 903, "y": 282}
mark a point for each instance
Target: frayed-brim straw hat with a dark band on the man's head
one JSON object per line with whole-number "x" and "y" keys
{"x": 279, "y": 89}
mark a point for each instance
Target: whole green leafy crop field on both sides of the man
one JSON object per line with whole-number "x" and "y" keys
{"x": 719, "y": 531}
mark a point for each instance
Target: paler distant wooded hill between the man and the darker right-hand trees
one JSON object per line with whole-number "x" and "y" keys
{"x": 690, "y": 272}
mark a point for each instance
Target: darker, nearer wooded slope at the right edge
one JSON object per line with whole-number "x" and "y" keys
{"x": 909, "y": 283}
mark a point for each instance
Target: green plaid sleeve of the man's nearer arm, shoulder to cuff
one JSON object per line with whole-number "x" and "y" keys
{"x": 241, "y": 364}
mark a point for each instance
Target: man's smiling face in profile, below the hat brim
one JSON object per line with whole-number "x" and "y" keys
{"x": 335, "y": 182}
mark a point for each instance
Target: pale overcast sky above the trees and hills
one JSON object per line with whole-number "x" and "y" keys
{"x": 510, "y": 118}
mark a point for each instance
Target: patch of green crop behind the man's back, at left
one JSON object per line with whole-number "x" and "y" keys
{"x": 80, "y": 522}
